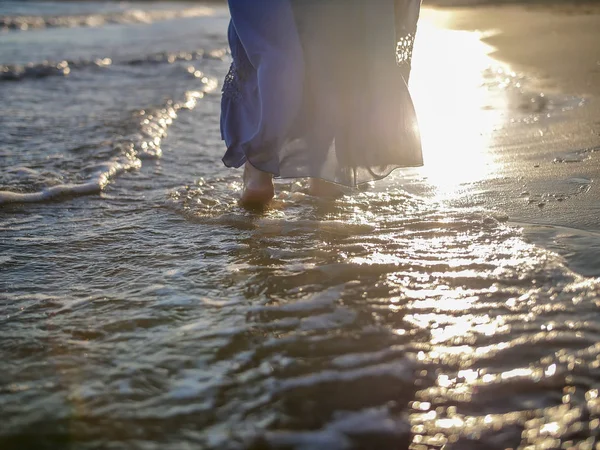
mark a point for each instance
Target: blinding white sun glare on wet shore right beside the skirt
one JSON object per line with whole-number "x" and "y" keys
{"x": 459, "y": 102}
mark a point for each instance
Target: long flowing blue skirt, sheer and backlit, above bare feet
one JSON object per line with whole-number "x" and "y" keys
{"x": 318, "y": 89}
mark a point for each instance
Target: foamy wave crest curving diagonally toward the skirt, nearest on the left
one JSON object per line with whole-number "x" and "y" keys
{"x": 148, "y": 128}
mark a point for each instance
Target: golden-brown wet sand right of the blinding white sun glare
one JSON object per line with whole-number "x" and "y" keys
{"x": 557, "y": 47}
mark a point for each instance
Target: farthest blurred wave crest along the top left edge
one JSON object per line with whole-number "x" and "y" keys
{"x": 24, "y": 23}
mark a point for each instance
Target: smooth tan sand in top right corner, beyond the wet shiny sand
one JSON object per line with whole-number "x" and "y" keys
{"x": 559, "y": 42}
